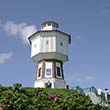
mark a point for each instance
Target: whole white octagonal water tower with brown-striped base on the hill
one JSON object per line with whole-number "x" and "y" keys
{"x": 49, "y": 48}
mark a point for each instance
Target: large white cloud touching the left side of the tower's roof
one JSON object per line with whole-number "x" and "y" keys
{"x": 21, "y": 29}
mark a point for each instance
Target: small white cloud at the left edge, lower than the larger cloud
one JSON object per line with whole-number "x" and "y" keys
{"x": 4, "y": 57}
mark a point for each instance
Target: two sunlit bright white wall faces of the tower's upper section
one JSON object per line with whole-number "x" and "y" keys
{"x": 43, "y": 44}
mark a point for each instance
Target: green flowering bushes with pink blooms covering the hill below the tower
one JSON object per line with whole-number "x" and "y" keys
{"x": 18, "y": 98}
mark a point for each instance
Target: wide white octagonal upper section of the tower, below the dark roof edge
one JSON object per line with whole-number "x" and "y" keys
{"x": 41, "y": 45}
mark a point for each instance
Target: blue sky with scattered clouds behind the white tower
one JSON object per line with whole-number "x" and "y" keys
{"x": 88, "y": 23}
